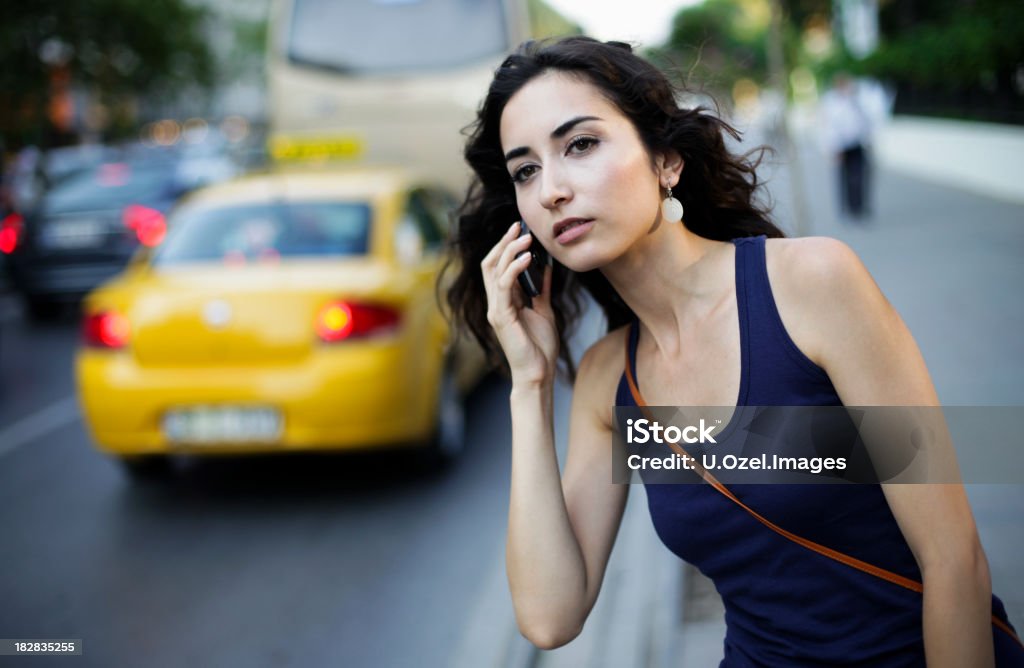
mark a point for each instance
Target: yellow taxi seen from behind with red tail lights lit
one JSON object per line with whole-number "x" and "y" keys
{"x": 285, "y": 312}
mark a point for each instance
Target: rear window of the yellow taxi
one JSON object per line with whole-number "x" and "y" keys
{"x": 239, "y": 234}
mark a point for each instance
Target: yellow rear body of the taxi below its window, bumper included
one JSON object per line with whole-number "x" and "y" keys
{"x": 243, "y": 348}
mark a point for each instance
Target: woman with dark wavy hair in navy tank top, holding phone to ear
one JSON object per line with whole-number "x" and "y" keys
{"x": 586, "y": 144}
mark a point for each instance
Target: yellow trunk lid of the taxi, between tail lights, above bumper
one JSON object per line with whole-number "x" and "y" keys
{"x": 247, "y": 316}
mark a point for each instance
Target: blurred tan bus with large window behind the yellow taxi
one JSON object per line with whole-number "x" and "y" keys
{"x": 386, "y": 81}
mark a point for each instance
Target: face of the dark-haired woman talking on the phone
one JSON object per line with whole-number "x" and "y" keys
{"x": 584, "y": 181}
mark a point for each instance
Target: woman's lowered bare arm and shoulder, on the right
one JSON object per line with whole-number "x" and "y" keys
{"x": 841, "y": 320}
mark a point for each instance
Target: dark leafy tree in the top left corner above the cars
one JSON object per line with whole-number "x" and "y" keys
{"x": 116, "y": 50}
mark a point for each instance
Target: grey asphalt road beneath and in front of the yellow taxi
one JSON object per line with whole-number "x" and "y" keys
{"x": 275, "y": 562}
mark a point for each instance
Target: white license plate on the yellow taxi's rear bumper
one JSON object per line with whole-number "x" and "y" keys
{"x": 211, "y": 426}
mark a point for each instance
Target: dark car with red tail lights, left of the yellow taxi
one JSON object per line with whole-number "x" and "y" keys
{"x": 87, "y": 228}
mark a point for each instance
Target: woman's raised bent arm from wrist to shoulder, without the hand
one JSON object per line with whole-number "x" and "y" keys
{"x": 562, "y": 532}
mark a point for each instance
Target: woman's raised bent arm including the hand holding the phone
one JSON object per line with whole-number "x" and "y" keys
{"x": 561, "y": 531}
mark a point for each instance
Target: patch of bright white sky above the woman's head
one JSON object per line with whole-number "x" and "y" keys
{"x": 646, "y": 22}
